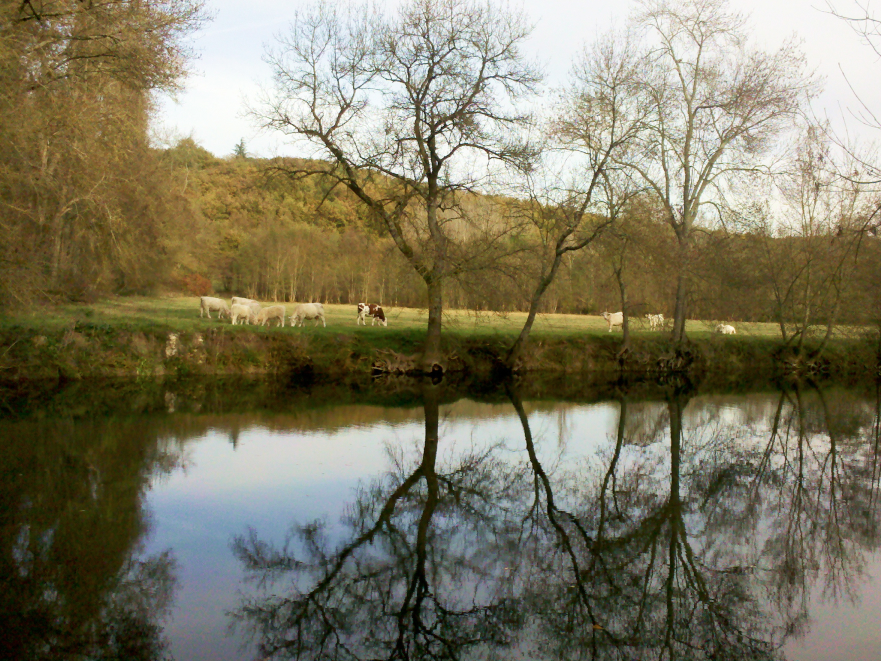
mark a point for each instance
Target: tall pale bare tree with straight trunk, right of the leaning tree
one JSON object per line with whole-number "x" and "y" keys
{"x": 716, "y": 107}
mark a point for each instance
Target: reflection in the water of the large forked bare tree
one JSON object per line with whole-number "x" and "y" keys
{"x": 421, "y": 576}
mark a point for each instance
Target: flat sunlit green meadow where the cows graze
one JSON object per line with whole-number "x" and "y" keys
{"x": 178, "y": 313}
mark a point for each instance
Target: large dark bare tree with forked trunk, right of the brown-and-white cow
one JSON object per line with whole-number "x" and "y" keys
{"x": 411, "y": 112}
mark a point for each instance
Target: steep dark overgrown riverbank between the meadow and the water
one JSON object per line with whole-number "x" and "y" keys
{"x": 88, "y": 350}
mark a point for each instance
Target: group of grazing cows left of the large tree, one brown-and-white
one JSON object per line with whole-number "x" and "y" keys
{"x": 248, "y": 311}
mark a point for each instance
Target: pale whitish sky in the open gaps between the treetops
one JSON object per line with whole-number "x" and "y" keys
{"x": 230, "y": 68}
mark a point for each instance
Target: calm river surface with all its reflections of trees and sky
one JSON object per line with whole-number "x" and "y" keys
{"x": 673, "y": 524}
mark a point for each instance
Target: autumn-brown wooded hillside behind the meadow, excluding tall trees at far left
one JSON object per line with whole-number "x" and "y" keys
{"x": 254, "y": 233}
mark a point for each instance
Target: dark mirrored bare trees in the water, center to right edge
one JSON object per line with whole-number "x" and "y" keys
{"x": 688, "y": 536}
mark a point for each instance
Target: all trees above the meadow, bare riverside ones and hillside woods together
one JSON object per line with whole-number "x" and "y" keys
{"x": 680, "y": 170}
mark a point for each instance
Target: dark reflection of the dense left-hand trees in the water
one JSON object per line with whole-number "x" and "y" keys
{"x": 71, "y": 523}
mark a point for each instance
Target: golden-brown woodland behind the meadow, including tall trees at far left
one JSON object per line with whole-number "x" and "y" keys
{"x": 90, "y": 209}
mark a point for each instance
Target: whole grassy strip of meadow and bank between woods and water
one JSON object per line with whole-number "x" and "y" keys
{"x": 150, "y": 337}
